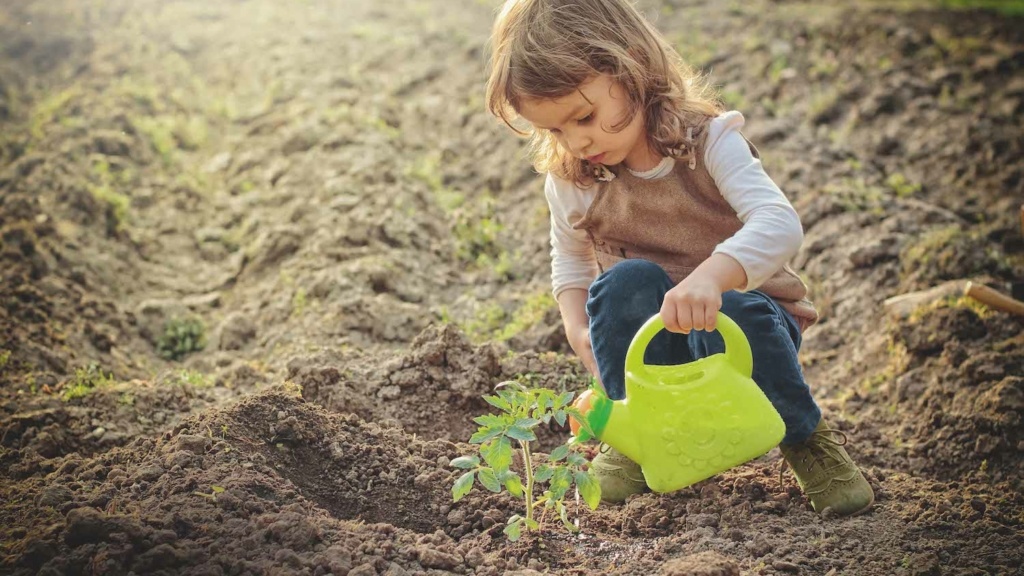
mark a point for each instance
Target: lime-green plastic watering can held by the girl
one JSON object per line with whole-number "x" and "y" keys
{"x": 688, "y": 423}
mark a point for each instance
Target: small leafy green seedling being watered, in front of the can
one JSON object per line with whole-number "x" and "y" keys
{"x": 523, "y": 410}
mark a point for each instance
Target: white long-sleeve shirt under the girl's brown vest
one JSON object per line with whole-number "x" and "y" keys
{"x": 772, "y": 234}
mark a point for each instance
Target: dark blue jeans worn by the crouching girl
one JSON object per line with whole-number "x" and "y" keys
{"x": 629, "y": 294}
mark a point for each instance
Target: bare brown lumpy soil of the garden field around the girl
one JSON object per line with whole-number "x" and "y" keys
{"x": 319, "y": 187}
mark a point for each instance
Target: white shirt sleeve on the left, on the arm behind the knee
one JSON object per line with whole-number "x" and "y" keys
{"x": 573, "y": 261}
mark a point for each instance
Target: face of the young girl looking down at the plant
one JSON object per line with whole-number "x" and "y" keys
{"x": 583, "y": 121}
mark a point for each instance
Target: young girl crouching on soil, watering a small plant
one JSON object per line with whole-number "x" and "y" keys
{"x": 659, "y": 205}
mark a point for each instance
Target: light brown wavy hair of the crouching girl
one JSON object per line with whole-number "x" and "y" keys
{"x": 545, "y": 50}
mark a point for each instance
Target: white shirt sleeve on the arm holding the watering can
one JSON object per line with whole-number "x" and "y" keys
{"x": 772, "y": 234}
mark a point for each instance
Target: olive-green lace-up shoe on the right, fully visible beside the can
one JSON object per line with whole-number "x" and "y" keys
{"x": 827, "y": 474}
